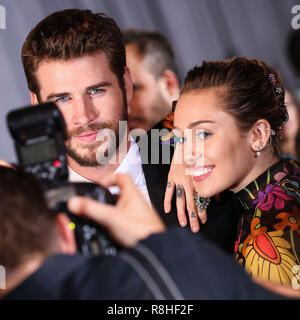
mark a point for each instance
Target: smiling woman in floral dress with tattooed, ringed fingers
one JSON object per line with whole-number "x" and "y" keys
{"x": 228, "y": 125}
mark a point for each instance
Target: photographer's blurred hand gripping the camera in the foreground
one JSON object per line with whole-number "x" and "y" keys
{"x": 129, "y": 221}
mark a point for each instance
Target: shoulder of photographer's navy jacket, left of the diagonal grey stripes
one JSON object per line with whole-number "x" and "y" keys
{"x": 64, "y": 277}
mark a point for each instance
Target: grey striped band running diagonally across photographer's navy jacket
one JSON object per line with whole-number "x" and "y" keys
{"x": 152, "y": 271}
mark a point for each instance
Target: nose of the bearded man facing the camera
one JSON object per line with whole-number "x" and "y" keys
{"x": 84, "y": 112}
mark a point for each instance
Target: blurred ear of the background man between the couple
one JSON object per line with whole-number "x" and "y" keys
{"x": 169, "y": 85}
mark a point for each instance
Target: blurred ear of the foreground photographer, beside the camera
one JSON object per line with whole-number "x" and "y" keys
{"x": 68, "y": 244}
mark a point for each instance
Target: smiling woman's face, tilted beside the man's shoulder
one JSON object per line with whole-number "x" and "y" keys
{"x": 217, "y": 154}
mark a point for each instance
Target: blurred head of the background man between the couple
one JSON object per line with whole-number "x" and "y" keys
{"x": 151, "y": 60}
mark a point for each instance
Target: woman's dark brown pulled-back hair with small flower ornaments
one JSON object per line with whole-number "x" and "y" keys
{"x": 250, "y": 90}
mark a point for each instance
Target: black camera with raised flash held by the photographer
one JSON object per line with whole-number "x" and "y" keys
{"x": 39, "y": 134}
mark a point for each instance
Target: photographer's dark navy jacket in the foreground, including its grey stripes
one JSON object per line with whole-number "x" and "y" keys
{"x": 170, "y": 265}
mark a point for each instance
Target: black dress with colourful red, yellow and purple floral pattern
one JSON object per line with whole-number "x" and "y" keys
{"x": 268, "y": 237}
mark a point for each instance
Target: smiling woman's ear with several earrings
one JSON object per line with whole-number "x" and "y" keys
{"x": 260, "y": 134}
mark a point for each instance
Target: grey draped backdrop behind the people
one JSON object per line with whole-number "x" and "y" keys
{"x": 199, "y": 30}
